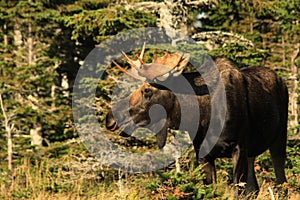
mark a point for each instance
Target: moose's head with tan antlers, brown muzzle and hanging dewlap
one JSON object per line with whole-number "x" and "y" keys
{"x": 152, "y": 105}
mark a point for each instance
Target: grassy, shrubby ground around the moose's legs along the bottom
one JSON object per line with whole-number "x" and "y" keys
{"x": 67, "y": 171}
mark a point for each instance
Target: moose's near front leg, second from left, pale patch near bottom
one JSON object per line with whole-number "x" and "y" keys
{"x": 240, "y": 170}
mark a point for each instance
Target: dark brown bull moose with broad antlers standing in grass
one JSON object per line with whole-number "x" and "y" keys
{"x": 256, "y": 117}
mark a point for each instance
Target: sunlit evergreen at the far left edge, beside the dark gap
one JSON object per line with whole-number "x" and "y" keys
{"x": 29, "y": 77}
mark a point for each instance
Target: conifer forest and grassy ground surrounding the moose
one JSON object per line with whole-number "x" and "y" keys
{"x": 43, "y": 44}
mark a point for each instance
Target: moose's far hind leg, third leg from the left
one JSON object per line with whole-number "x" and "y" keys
{"x": 252, "y": 185}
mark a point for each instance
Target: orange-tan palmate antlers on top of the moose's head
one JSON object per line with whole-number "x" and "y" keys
{"x": 160, "y": 68}
